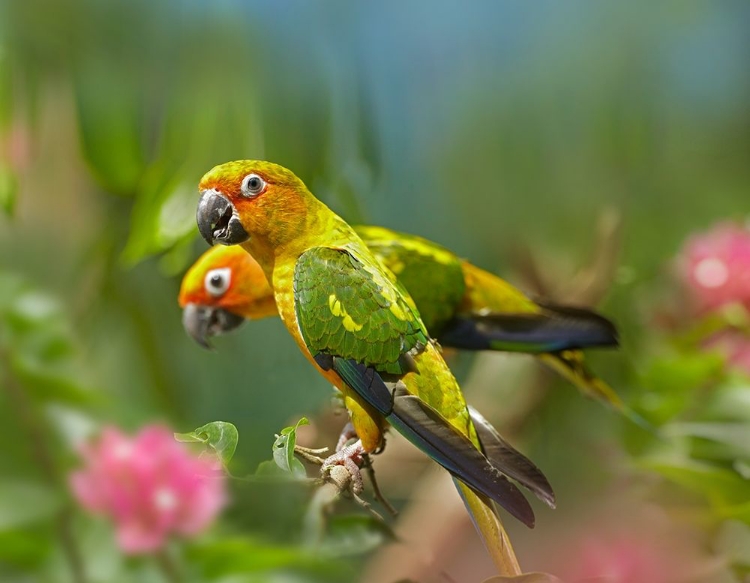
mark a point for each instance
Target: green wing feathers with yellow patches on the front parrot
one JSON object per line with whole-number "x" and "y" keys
{"x": 347, "y": 307}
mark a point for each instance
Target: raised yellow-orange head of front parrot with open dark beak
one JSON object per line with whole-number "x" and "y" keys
{"x": 252, "y": 199}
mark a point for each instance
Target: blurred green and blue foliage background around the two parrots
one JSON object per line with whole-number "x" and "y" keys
{"x": 571, "y": 147}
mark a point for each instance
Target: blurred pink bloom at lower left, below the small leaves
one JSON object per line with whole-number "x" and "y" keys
{"x": 150, "y": 485}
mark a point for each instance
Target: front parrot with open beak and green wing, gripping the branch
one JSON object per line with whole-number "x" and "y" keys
{"x": 359, "y": 328}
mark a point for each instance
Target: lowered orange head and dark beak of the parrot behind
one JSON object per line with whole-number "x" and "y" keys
{"x": 225, "y": 286}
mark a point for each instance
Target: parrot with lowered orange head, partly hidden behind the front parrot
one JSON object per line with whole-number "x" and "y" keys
{"x": 461, "y": 305}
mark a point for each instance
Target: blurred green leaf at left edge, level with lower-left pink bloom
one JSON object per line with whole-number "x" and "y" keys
{"x": 23, "y": 503}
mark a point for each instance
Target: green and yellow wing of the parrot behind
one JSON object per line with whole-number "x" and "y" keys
{"x": 431, "y": 274}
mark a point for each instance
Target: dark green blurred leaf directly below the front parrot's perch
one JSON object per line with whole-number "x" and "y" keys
{"x": 355, "y": 535}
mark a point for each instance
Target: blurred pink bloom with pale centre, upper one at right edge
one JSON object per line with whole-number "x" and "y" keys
{"x": 715, "y": 267}
